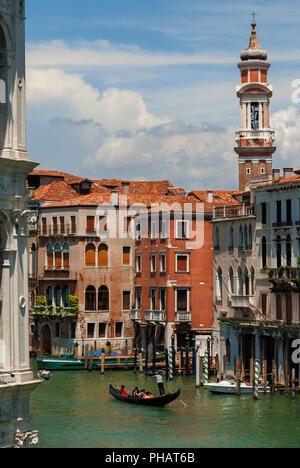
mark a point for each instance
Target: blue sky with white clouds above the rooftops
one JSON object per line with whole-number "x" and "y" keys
{"x": 136, "y": 89}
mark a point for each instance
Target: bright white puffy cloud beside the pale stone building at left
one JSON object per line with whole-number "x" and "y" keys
{"x": 69, "y": 95}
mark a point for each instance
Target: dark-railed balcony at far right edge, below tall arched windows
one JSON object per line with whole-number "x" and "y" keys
{"x": 285, "y": 279}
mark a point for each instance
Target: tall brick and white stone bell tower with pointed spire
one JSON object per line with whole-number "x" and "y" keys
{"x": 254, "y": 139}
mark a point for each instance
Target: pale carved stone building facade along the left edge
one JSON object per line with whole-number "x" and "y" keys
{"x": 16, "y": 377}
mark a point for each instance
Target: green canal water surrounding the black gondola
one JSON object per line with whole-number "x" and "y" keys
{"x": 75, "y": 410}
